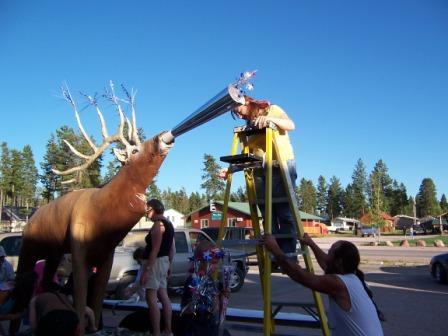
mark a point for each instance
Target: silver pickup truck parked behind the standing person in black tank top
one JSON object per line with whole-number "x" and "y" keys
{"x": 125, "y": 268}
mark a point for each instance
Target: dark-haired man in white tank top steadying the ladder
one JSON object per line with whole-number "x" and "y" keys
{"x": 352, "y": 310}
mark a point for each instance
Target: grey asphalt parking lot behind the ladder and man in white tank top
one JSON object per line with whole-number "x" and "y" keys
{"x": 413, "y": 302}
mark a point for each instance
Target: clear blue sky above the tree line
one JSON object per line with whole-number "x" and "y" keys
{"x": 361, "y": 79}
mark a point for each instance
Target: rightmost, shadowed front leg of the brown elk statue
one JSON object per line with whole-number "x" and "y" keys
{"x": 98, "y": 287}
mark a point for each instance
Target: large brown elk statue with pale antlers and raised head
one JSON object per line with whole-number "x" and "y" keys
{"x": 89, "y": 223}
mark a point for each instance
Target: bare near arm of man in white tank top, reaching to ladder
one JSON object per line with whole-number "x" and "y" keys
{"x": 328, "y": 284}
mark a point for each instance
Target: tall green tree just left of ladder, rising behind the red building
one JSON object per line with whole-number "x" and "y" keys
{"x": 211, "y": 182}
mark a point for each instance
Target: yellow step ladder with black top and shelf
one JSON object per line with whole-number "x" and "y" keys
{"x": 247, "y": 162}
